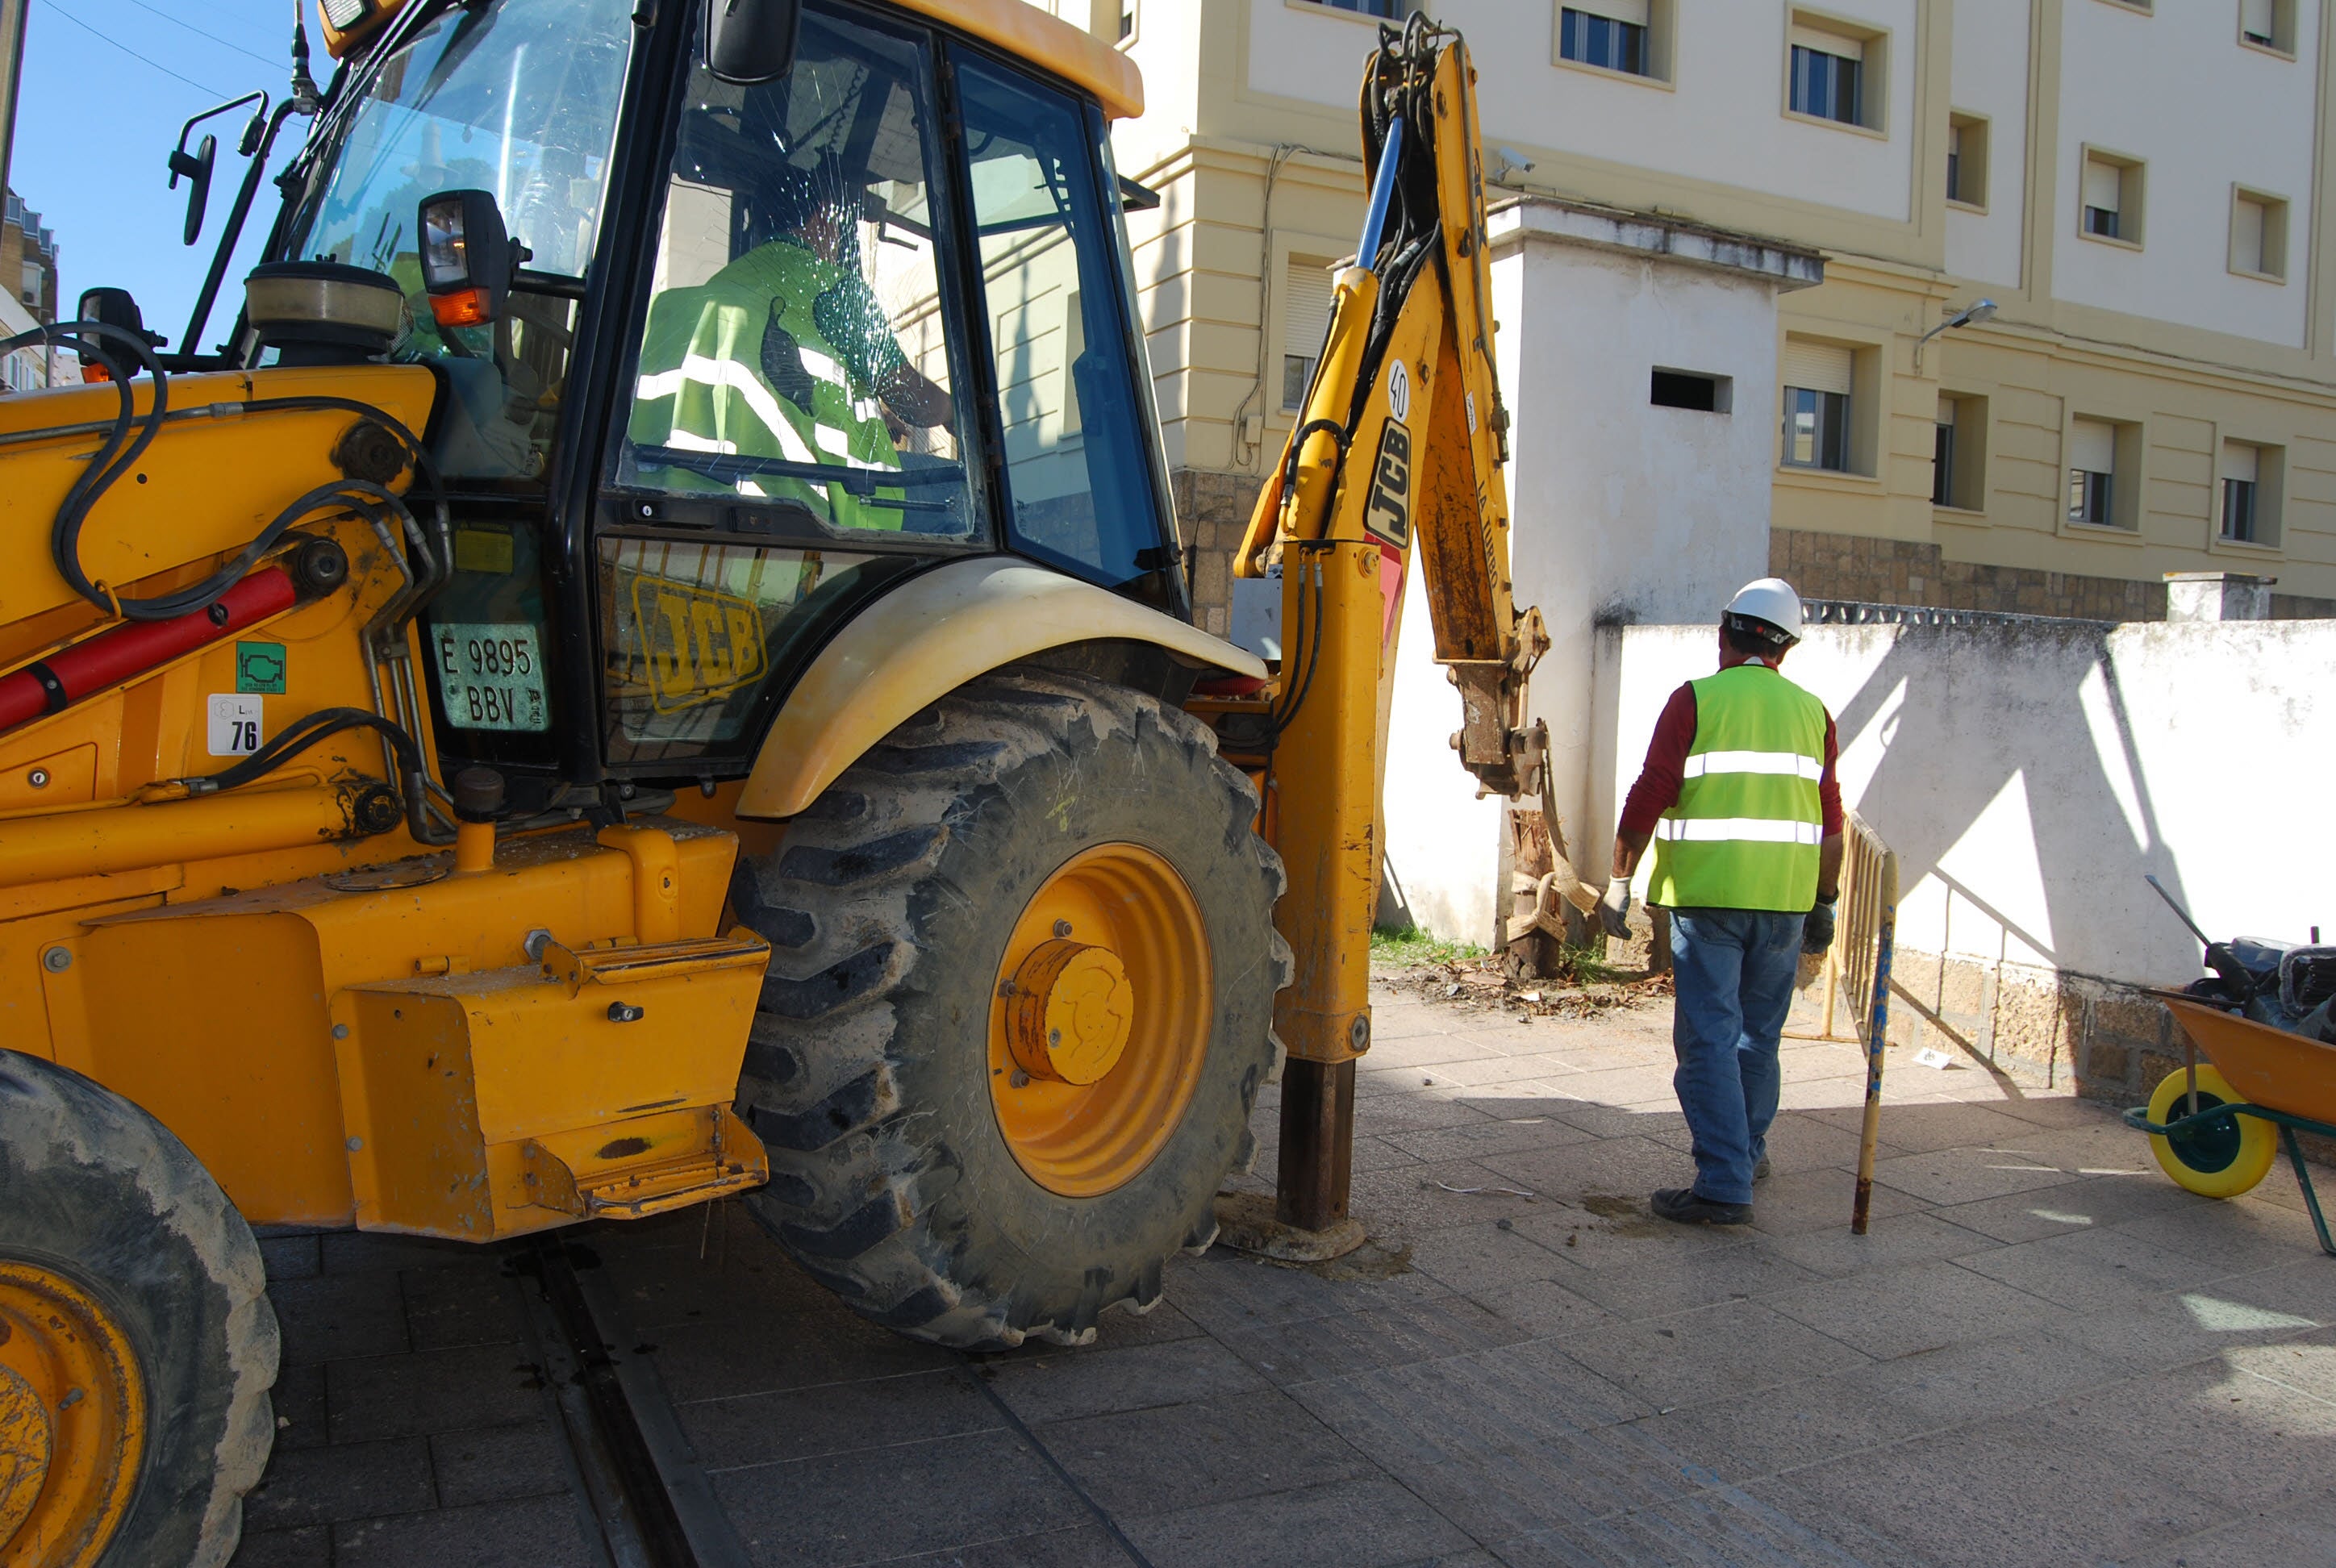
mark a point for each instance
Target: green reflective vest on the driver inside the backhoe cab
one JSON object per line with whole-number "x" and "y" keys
{"x": 777, "y": 356}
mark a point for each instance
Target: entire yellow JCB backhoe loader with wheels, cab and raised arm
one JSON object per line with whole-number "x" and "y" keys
{"x": 655, "y": 662}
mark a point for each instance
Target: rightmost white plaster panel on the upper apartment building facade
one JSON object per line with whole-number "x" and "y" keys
{"x": 2204, "y": 113}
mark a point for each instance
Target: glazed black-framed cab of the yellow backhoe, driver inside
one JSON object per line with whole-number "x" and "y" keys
{"x": 774, "y": 347}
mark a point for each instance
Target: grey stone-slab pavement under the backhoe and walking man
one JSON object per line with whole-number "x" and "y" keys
{"x": 2043, "y": 1354}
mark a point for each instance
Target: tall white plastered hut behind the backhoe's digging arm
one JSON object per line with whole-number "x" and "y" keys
{"x": 1620, "y": 511}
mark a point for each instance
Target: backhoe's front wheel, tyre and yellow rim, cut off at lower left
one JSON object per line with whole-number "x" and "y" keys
{"x": 137, "y": 1338}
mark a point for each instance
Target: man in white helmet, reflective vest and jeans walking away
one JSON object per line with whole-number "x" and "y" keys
{"x": 1741, "y": 805}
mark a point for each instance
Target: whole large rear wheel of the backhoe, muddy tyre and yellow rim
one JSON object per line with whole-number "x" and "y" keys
{"x": 1090, "y": 845}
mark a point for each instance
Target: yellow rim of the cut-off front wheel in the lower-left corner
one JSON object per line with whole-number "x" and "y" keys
{"x": 71, "y": 1420}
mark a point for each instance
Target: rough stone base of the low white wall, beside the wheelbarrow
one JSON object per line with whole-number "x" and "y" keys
{"x": 2043, "y": 1029}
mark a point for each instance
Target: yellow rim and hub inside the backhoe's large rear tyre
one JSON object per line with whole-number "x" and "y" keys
{"x": 1099, "y": 1022}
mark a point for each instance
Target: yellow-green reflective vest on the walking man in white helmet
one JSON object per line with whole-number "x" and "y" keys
{"x": 1748, "y": 824}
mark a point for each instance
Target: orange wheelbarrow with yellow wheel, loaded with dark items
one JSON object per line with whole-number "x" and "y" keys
{"x": 2216, "y": 1128}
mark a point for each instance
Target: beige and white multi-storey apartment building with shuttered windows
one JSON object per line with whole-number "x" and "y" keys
{"x": 2136, "y": 186}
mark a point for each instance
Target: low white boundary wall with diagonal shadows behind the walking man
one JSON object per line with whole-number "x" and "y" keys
{"x": 2031, "y": 777}
